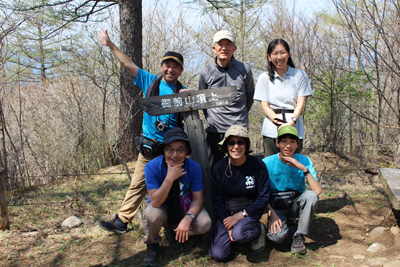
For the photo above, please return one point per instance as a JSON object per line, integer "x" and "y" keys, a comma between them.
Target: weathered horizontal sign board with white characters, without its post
{"x": 188, "y": 101}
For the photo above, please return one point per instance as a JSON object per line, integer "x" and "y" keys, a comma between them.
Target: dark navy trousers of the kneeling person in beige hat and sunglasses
{"x": 246, "y": 230}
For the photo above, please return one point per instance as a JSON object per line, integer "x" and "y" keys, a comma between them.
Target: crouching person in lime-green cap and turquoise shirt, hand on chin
{"x": 289, "y": 198}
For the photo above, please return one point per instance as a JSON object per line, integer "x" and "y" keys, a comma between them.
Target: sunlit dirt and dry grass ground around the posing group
{"x": 352, "y": 204}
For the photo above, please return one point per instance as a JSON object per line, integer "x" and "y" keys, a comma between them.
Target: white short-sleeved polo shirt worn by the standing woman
{"x": 282, "y": 93}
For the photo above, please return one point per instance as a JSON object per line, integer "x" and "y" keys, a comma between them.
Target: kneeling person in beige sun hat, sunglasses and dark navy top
{"x": 240, "y": 194}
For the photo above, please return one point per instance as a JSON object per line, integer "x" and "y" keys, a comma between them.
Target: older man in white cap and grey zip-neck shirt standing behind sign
{"x": 226, "y": 71}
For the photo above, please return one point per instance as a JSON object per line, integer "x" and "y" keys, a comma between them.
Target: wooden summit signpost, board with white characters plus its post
{"x": 188, "y": 103}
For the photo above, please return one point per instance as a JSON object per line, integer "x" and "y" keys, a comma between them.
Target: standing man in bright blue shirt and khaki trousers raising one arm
{"x": 153, "y": 127}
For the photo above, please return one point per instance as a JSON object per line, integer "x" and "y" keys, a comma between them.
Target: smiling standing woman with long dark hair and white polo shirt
{"x": 282, "y": 90}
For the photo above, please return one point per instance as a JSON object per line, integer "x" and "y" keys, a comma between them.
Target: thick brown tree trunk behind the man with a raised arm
{"x": 131, "y": 45}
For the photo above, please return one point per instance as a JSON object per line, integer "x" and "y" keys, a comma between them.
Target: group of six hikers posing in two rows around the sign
{"x": 244, "y": 187}
